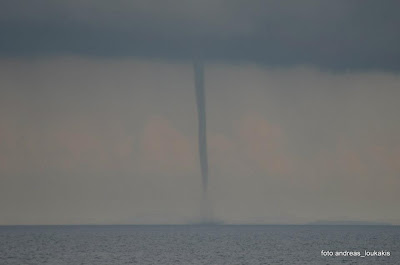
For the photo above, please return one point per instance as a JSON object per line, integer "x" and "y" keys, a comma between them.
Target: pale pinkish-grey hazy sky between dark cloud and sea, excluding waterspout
{"x": 88, "y": 140}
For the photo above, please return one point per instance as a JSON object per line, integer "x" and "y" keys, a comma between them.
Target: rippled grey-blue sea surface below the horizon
{"x": 197, "y": 244}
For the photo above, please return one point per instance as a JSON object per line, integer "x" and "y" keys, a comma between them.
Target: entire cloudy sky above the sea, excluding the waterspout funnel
{"x": 98, "y": 118}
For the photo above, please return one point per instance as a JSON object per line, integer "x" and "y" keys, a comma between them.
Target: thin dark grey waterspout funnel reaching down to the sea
{"x": 201, "y": 113}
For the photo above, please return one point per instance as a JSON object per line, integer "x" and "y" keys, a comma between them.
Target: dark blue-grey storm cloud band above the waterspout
{"x": 331, "y": 34}
